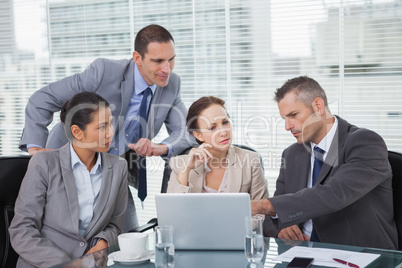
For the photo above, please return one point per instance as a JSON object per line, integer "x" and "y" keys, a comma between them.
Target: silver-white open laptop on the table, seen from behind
{"x": 204, "y": 221}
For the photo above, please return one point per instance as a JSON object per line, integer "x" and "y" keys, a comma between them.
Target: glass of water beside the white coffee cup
{"x": 164, "y": 247}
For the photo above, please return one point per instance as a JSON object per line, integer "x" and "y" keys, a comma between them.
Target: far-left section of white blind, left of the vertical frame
{"x": 22, "y": 70}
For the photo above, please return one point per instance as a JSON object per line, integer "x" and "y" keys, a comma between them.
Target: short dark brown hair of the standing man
{"x": 149, "y": 34}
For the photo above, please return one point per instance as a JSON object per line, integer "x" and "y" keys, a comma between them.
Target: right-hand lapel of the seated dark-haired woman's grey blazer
{"x": 104, "y": 192}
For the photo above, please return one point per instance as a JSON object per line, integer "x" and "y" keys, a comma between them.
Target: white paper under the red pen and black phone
{"x": 325, "y": 256}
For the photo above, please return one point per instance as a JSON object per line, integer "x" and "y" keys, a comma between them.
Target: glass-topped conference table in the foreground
{"x": 234, "y": 259}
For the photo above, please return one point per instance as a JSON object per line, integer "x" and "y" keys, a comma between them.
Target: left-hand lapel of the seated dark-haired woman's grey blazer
{"x": 69, "y": 184}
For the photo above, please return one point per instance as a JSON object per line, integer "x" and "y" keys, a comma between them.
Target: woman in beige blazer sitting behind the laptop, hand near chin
{"x": 215, "y": 166}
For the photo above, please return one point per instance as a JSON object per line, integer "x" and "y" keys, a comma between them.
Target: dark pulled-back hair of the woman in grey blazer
{"x": 79, "y": 110}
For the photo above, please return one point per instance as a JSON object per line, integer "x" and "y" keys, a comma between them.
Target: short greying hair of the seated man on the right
{"x": 305, "y": 88}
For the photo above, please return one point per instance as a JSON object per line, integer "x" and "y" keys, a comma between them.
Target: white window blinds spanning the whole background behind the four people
{"x": 240, "y": 51}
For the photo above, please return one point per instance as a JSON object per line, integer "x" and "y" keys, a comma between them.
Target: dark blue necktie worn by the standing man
{"x": 142, "y": 161}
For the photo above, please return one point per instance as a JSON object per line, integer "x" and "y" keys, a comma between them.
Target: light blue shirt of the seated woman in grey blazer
{"x": 88, "y": 185}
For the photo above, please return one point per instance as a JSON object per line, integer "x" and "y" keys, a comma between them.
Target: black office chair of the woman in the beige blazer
{"x": 165, "y": 180}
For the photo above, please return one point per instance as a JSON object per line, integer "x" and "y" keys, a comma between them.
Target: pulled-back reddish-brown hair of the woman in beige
{"x": 196, "y": 109}
